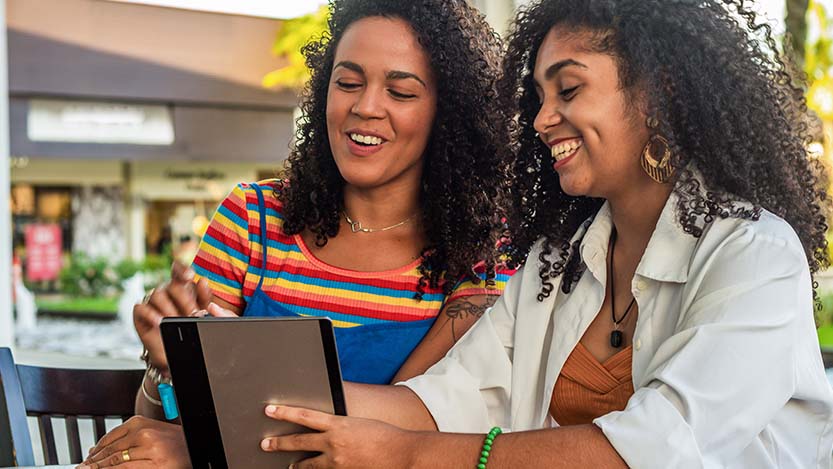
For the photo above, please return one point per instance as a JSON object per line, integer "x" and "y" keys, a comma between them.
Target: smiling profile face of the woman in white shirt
{"x": 595, "y": 136}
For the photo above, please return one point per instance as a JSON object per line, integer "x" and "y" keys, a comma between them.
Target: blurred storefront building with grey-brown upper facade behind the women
{"x": 130, "y": 122}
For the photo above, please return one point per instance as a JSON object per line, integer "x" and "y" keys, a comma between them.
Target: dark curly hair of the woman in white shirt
{"x": 725, "y": 99}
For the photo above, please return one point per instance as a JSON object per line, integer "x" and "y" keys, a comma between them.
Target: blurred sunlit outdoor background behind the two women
{"x": 130, "y": 119}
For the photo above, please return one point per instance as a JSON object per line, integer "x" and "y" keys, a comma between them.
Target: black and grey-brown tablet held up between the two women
{"x": 226, "y": 370}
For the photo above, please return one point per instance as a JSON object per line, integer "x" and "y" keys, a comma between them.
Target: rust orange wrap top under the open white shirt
{"x": 587, "y": 389}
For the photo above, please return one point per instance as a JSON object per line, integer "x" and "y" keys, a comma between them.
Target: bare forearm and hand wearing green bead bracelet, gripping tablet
{"x": 361, "y": 442}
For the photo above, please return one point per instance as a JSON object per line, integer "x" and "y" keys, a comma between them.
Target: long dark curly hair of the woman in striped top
{"x": 465, "y": 175}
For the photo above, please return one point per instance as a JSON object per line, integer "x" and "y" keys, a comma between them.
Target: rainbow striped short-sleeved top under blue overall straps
{"x": 303, "y": 284}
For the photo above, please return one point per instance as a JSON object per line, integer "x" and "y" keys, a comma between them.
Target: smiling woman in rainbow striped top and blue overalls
{"x": 388, "y": 219}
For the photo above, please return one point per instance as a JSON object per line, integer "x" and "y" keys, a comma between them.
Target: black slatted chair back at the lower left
{"x": 58, "y": 392}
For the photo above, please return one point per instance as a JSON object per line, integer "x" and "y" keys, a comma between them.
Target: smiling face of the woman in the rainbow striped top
{"x": 381, "y": 104}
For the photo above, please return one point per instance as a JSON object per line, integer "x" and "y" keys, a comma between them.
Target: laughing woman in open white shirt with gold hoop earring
{"x": 664, "y": 318}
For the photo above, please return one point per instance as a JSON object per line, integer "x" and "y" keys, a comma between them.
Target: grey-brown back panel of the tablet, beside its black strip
{"x": 251, "y": 363}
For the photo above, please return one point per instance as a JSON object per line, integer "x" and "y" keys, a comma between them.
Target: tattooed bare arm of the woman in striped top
{"x": 453, "y": 321}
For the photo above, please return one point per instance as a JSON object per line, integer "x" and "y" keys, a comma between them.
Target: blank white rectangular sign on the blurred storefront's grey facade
{"x": 94, "y": 122}
